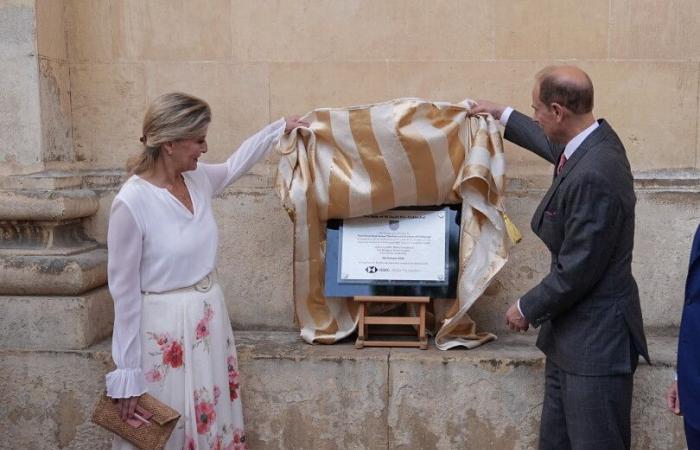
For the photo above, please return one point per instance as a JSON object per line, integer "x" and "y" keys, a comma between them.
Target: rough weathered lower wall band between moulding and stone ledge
{"x": 255, "y": 253}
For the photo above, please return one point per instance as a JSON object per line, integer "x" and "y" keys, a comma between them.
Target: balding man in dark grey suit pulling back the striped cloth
{"x": 588, "y": 304}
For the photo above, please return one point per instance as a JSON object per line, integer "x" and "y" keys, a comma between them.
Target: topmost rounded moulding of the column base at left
{"x": 47, "y": 205}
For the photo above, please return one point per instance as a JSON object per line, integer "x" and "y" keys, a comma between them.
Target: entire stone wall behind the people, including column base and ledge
{"x": 75, "y": 81}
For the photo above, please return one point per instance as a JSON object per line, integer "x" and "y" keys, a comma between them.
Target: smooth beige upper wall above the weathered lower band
{"x": 256, "y": 61}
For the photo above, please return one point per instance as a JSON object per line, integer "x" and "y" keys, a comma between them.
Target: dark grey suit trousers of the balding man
{"x": 584, "y": 412}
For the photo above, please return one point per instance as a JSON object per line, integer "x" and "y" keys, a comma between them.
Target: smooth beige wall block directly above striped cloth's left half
{"x": 297, "y": 88}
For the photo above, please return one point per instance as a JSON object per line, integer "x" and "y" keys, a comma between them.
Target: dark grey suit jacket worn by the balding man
{"x": 588, "y": 304}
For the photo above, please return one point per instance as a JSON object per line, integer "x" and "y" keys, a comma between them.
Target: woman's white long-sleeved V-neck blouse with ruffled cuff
{"x": 156, "y": 244}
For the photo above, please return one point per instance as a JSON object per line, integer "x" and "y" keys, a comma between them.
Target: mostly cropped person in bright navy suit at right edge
{"x": 684, "y": 395}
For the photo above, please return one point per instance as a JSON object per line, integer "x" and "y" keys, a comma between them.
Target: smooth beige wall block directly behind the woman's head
{"x": 237, "y": 93}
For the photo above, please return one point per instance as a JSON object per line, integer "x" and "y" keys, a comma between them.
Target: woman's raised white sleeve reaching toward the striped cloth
{"x": 240, "y": 162}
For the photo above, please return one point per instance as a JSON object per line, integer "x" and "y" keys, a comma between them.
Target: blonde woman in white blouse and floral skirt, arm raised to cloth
{"x": 172, "y": 334}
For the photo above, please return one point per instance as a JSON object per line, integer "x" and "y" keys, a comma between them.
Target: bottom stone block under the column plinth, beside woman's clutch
{"x": 49, "y": 397}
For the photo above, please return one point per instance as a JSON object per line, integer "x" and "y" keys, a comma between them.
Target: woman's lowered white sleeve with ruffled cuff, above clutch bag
{"x": 124, "y": 241}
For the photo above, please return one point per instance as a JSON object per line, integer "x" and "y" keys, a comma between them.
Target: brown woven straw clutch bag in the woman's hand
{"x": 150, "y": 427}
